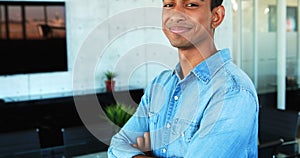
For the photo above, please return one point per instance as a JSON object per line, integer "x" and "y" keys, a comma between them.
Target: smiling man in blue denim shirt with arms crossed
{"x": 206, "y": 107}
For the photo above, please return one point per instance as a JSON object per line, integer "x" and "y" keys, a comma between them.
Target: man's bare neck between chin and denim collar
{"x": 190, "y": 58}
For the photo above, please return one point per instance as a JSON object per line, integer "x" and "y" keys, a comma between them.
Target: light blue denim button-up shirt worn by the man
{"x": 212, "y": 112}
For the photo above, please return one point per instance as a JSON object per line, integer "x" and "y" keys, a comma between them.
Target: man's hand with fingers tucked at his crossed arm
{"x": 144, "y": 144}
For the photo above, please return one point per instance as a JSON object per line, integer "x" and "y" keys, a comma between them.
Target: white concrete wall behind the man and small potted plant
{"x": 123, "y": 36}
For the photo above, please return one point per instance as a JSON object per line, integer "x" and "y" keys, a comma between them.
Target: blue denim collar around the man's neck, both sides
{"x": 207, "y": 69}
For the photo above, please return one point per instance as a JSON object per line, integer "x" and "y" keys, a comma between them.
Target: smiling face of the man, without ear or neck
{"x": 187, "y": 23}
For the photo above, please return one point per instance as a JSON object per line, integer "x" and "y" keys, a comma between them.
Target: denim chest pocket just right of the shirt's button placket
{"x": 184, "y": 129}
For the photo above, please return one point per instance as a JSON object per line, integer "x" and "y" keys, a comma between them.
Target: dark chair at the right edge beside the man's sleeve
{"x": 278, "y": 128}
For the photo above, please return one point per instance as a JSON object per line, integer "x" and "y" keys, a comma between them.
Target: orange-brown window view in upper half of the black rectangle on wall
{"x": 32, "y": 21}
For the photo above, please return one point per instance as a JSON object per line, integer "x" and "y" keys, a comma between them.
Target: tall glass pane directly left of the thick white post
{"x": 267, "y": 50}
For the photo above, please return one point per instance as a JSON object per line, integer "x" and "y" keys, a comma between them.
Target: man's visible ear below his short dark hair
{"x": 218, "y": 14}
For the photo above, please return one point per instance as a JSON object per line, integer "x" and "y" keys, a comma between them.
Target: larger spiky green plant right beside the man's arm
{"x": 119, "y": 113}
